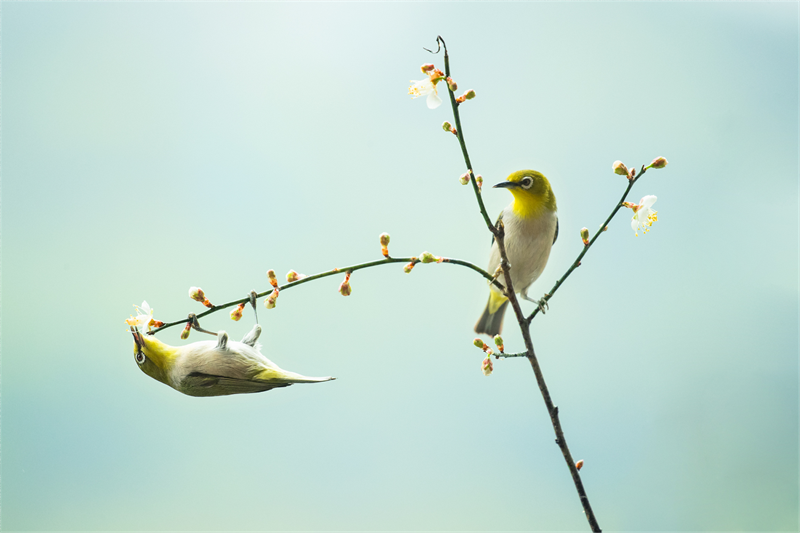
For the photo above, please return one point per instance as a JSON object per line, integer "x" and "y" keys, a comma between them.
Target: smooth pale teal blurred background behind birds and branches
{"x": 148, "y": 147}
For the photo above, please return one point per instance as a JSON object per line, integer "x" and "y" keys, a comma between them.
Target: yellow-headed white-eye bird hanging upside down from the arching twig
{"x": 213, "y": 368}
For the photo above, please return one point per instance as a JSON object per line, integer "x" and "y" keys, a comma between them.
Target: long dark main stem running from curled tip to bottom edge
{"x": 524, "y": 323}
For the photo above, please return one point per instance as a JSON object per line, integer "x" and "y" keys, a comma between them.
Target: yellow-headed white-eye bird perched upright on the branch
{"x": 531, "y": 229}
